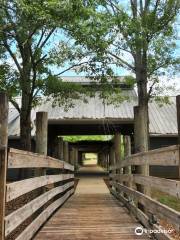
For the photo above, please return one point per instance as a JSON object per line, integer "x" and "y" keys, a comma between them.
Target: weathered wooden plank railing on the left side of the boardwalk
{"x": 47, "y": 192}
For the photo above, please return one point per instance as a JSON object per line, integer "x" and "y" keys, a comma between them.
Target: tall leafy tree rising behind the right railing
{"x": 140, "y": 37}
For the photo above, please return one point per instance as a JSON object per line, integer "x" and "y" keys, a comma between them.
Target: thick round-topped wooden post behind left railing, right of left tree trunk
{"x": 41, "y": 137}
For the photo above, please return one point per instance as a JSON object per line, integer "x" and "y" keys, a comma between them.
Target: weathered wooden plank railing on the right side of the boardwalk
{"x": 145, "y": 208}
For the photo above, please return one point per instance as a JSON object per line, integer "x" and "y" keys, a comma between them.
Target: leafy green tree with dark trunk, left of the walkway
{"x": 32, "y": 46}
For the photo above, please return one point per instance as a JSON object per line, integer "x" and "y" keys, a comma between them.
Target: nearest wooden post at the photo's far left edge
{"x": 3, "y": 159}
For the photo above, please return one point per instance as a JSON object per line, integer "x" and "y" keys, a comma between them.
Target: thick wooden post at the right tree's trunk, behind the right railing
{"x": 140, "y": 145}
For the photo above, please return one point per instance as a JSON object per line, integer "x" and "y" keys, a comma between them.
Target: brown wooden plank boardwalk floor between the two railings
{"x": 91, "y": 213}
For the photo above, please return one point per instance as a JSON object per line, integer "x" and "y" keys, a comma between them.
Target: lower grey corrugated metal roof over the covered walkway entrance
{"x": 163, "y": 119}
